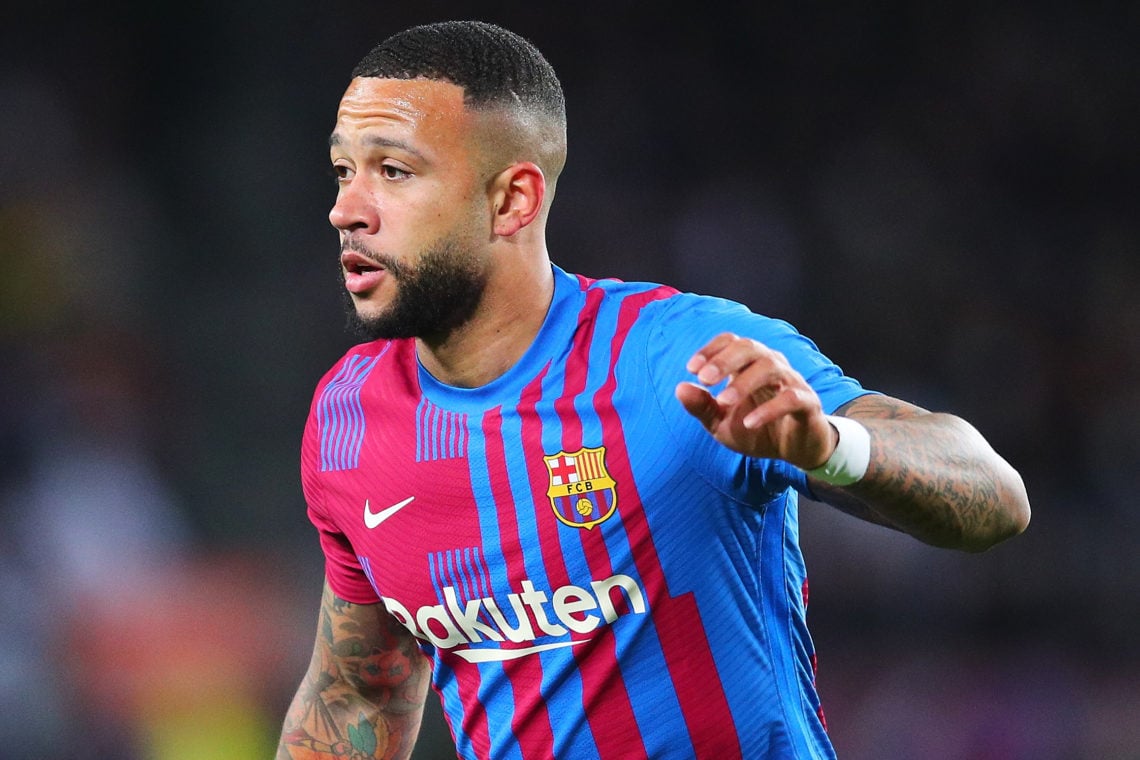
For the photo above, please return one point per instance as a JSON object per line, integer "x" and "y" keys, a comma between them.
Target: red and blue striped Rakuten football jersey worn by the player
{"x": 591, "y": 574}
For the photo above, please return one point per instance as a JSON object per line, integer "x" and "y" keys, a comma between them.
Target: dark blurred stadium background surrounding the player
{"x": 942, "y": 195}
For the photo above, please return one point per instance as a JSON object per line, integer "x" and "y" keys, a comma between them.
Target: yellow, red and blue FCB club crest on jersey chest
{"x": 582, "y": 492}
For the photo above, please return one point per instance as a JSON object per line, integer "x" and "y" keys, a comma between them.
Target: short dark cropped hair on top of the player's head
{"x": 494, "y": 67}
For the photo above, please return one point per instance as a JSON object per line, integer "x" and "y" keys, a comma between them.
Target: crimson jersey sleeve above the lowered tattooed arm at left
{"x": 343, "y": 569}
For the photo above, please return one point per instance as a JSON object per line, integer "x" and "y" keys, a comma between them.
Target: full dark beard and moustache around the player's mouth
{"x": 433, "y": 298}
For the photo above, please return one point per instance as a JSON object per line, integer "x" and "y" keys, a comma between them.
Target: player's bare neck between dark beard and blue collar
{"x": 503, "y": 328}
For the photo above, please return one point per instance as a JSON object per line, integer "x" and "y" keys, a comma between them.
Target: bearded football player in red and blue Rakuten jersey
{"x": 571, "y": 505}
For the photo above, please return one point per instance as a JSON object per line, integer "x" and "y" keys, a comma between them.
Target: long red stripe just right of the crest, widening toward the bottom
{"x": 683, "y": 642}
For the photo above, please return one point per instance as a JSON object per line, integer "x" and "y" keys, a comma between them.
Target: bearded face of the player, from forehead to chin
{"x": 411, "y": 207}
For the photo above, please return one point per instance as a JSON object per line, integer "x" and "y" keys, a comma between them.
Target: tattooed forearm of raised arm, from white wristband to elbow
{"x": 932, "y": 476}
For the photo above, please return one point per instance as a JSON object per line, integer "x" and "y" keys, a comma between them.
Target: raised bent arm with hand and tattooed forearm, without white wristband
{"x": 931, "y": 476}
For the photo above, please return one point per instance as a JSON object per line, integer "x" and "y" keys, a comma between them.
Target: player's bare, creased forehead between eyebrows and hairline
{"x": 422, "y": 110}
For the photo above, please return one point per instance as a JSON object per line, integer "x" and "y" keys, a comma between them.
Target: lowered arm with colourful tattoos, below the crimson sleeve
{"x": 364, "y": 691}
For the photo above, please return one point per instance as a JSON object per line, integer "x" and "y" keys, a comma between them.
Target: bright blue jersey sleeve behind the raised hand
{"x": 685, "y": 325}
